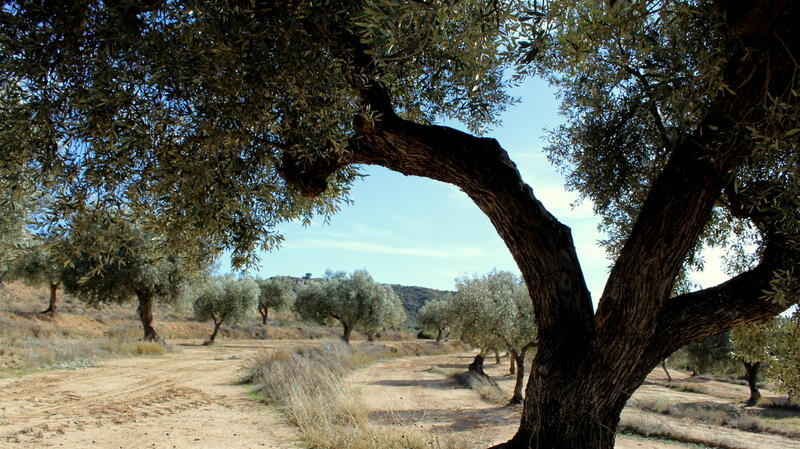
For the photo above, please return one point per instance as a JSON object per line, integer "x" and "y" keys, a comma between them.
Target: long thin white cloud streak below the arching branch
{"x": 349, "y": 245}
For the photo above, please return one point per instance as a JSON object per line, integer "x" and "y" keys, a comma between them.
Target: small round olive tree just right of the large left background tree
{"x": 225, "y": 301}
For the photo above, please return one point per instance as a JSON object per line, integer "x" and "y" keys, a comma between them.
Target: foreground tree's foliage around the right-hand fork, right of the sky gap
{"x": 639, "y": 77}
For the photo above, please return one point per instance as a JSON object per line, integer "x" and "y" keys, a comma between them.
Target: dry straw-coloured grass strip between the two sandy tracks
{"x": 305, "y": 384}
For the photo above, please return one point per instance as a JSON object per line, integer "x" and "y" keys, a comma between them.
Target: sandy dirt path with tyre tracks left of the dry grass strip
{"x": 183, "y": 400}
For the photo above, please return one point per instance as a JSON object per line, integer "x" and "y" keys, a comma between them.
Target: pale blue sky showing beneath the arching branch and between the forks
{"x": 415, "y": 231}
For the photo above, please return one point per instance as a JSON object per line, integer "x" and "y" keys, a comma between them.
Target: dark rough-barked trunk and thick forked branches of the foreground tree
{"x": 588, "y": 363}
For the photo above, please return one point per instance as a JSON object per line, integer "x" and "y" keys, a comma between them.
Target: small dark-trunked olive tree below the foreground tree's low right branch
{"x": 750, "y": 344}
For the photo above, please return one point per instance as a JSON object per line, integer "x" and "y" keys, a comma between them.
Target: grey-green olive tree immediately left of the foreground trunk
{"x": 494, "y": 312}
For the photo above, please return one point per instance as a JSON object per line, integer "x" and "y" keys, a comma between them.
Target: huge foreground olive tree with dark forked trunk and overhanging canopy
{"x": 223, "y": 118}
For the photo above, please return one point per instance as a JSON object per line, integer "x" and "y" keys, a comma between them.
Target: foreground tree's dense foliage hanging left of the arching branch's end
{"x": 181, "y": 110}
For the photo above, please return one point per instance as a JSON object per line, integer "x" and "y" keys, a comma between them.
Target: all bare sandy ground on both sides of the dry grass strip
{"x": 189, "y": 400}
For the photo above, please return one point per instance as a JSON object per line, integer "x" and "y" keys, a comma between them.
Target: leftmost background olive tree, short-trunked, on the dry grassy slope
{"x": 39, "y": 266}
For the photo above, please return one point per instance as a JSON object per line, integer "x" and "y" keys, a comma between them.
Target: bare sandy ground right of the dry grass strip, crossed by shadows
{"x": 415, "y": 393}
